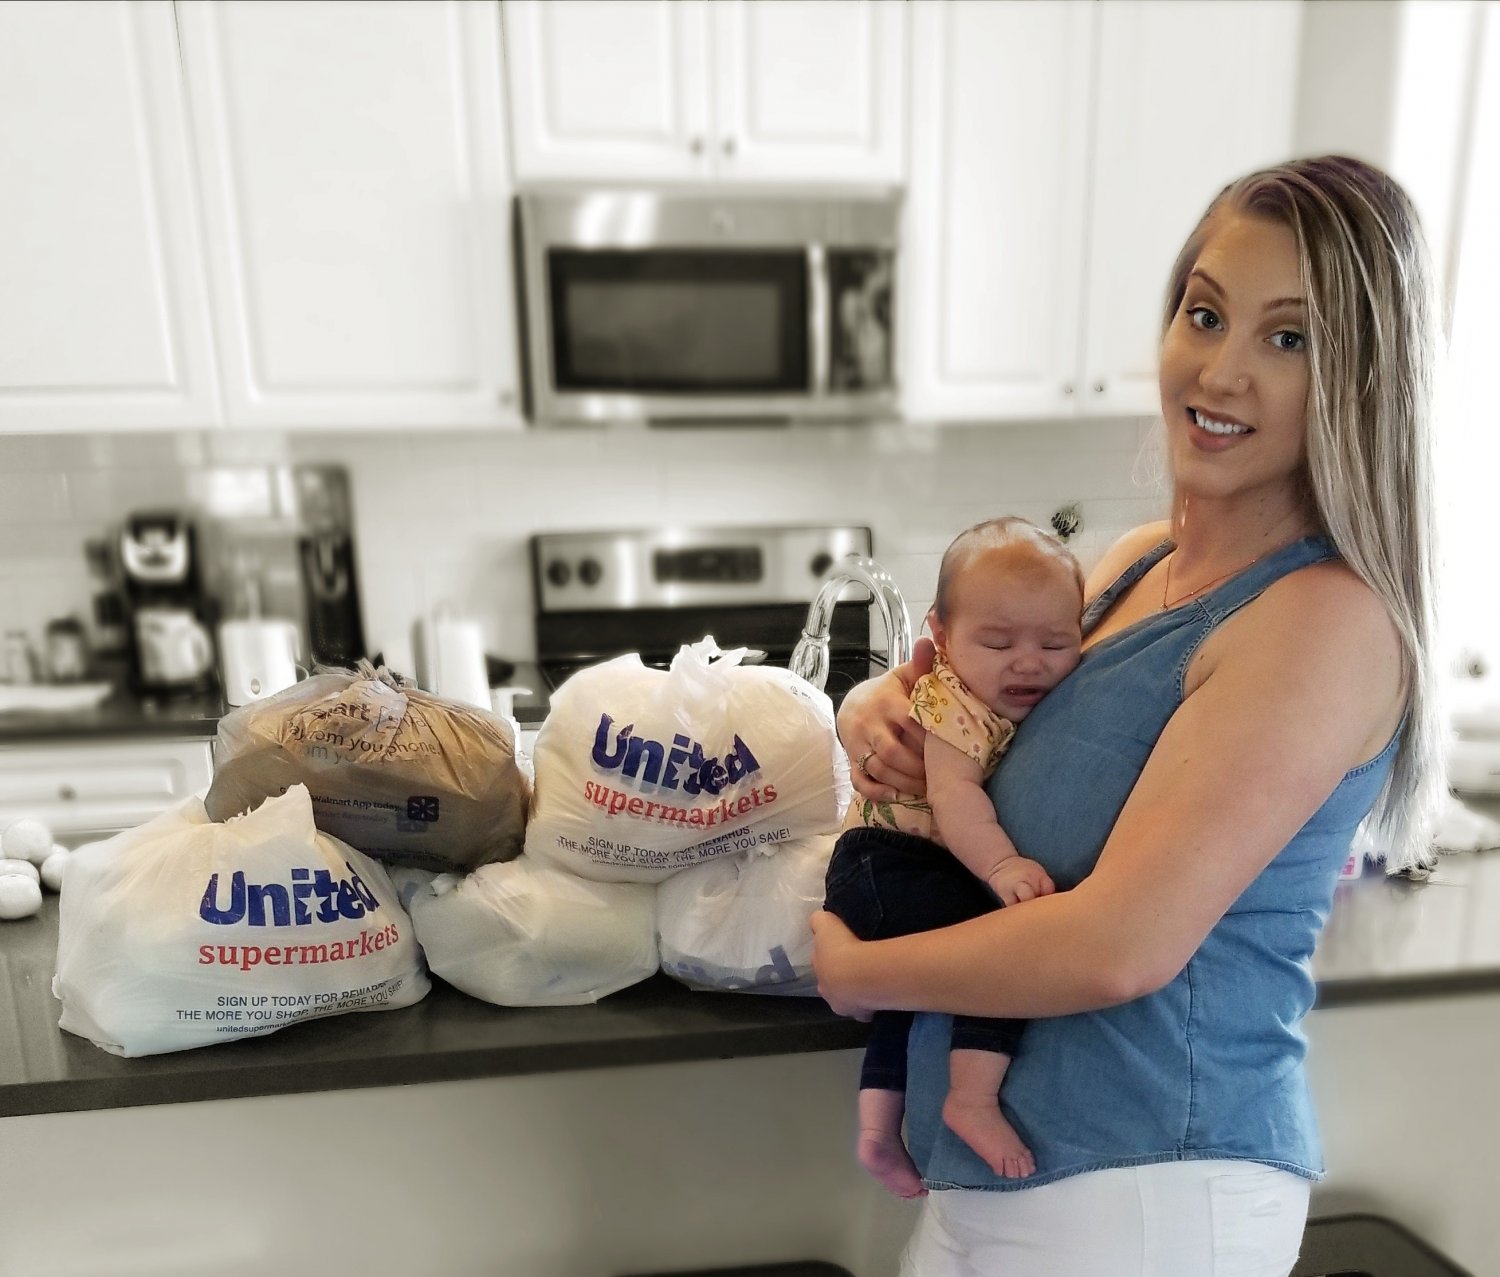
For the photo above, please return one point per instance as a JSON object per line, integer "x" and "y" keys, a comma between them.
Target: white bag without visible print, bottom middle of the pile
{"x": 524, "y": 936}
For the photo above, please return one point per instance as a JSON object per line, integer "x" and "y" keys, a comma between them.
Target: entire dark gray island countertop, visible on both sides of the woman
{"x": 1387, "y": 940}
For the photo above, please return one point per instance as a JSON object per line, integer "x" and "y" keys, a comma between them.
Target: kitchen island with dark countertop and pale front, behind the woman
{"x": 533, "y": 1150}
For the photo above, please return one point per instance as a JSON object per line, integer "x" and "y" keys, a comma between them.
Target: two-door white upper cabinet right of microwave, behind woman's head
{"x": 1061, "y": 155}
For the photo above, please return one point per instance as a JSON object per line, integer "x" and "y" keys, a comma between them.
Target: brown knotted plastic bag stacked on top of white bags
{"x": 403, "y": 775}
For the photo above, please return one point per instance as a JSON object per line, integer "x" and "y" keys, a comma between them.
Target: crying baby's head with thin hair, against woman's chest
{"x": 1007, "y": 616}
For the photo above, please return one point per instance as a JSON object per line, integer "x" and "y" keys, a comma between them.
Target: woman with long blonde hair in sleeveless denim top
{"x": 1255, "y": 682}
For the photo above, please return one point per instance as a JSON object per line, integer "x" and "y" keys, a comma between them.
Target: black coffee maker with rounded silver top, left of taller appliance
{"x": 169, "y": 614}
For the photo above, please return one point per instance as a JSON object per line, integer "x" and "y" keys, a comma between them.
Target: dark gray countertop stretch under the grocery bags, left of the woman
{"x": 446, "y": 1036}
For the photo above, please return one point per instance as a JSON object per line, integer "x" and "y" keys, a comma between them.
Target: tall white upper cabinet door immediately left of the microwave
{"x": 356, "y": 196}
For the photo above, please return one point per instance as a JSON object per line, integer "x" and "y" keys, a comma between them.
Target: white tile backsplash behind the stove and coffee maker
{"x": 446, "y": 517}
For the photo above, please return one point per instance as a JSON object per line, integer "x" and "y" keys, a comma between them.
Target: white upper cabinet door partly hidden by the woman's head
{"x": 1174, "y": 128}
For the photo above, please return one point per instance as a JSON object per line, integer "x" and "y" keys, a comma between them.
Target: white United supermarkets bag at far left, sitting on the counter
{"x": 185, "y": 933}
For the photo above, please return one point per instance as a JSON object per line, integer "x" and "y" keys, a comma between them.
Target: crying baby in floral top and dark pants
{"x": 1007, "y": 628}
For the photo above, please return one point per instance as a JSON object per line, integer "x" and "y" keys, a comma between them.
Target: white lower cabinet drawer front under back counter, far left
{"x": 101, "y": 787}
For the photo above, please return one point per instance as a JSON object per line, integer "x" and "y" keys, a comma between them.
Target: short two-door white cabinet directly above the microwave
{"x": 718, "y": 91}
